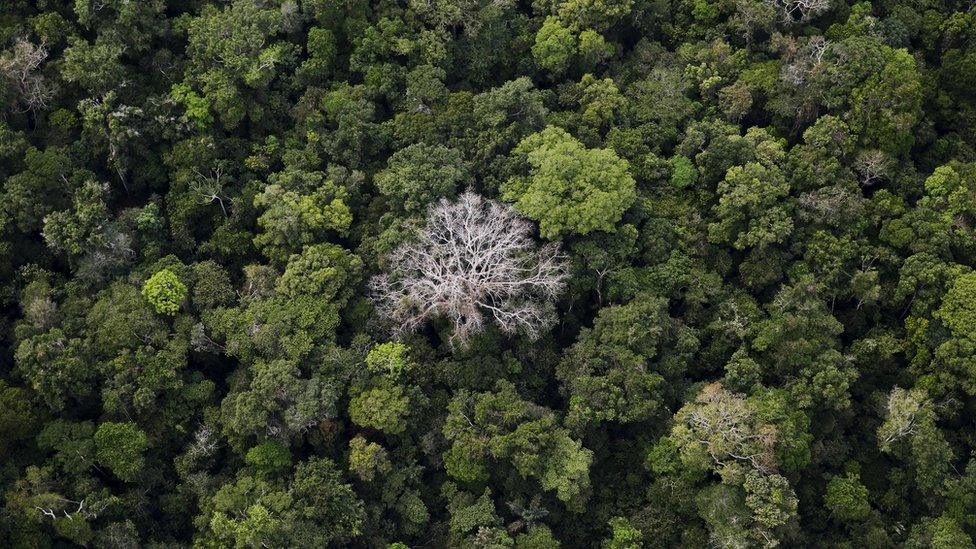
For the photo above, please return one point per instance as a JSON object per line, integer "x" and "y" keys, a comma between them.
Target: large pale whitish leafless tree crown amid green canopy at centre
{"x": 474, "y": 261}
